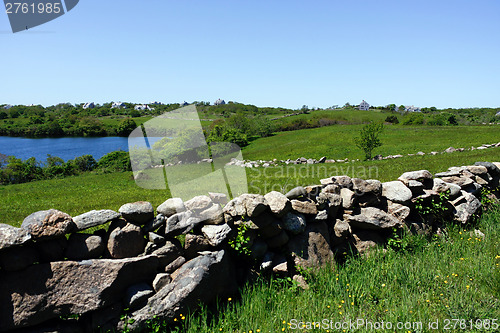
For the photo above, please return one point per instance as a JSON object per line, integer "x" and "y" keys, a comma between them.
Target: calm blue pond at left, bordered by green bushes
{"x": 65, "y": 148}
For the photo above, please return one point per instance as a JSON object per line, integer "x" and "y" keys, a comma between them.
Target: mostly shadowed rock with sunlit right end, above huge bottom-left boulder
{"x": 84, "y": 246}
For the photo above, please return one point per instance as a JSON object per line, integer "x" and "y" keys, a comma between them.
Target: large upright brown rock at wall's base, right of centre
{"x": 312, "y": 247}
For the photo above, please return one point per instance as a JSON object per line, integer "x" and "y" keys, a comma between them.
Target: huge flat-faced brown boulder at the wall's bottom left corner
{"x": 47, "y": 291}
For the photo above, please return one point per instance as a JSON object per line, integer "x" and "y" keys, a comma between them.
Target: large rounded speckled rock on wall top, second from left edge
{"x": 48, "y": 224}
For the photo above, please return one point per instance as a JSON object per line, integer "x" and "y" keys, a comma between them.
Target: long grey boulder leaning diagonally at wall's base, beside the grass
{"x": 201, "y": 279}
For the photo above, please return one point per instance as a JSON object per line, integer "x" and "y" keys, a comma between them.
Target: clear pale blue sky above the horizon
{"x": 268, "y": 53}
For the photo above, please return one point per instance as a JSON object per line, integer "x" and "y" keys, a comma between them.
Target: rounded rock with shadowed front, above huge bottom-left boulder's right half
{"x": 125, "y": 242}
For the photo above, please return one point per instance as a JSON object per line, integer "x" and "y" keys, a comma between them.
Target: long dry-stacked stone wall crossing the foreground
{"x": 79, "y": 274}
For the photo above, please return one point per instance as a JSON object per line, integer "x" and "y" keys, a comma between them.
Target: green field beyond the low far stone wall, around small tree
{"x": 336, "y": 141}
